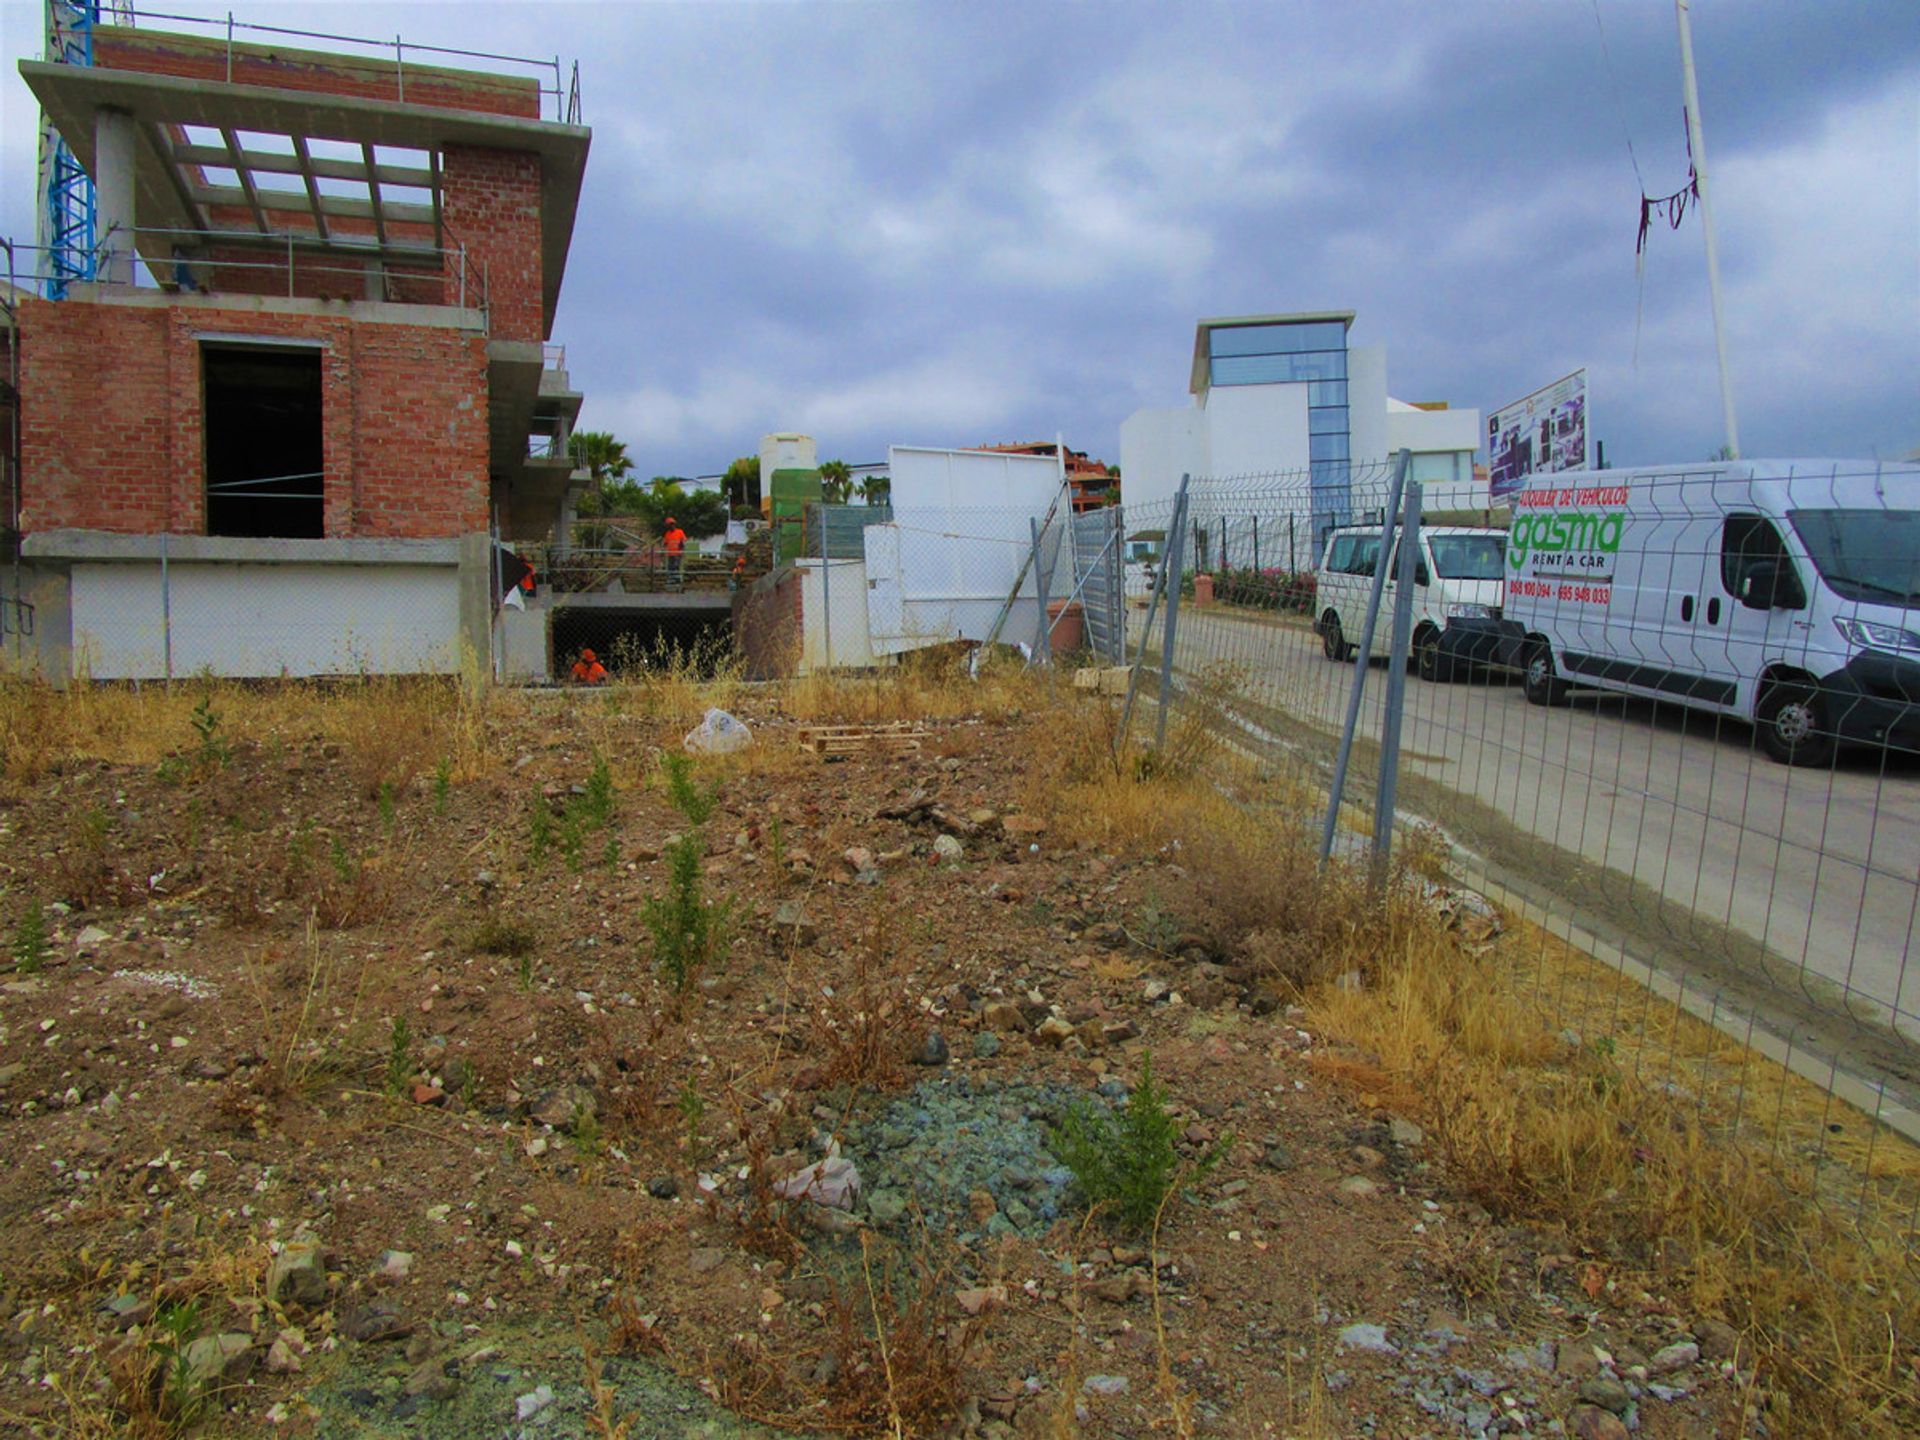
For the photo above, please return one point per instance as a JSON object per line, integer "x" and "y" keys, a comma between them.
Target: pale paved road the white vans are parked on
{"x": 1821, "y": 867}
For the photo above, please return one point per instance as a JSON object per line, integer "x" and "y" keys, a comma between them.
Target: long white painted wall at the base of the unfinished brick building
{"x": 251, "y": 621}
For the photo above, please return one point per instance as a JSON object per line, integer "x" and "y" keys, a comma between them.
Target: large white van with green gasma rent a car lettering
{"x": 1779, "y": 592}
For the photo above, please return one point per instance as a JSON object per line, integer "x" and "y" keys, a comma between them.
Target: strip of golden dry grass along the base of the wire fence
{"x": 1691, "y": 1164}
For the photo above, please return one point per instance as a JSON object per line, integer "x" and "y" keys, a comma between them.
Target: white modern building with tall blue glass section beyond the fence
{"x": 1289, "y": 396}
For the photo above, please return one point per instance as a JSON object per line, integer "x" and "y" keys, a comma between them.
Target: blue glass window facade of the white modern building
{"x": 1312, "y": 352}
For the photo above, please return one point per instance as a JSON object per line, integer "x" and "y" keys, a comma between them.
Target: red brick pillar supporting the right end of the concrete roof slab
{"x": 492, "y": 206}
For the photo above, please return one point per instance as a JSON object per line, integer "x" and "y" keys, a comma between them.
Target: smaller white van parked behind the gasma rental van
{"x": 1458, "y": 575}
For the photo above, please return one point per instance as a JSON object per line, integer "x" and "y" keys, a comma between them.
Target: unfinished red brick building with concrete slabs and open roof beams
{"x": 308, "y": 379}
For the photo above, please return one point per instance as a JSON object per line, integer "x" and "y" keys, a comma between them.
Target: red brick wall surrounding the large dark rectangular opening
{"x": 112, "y": 421}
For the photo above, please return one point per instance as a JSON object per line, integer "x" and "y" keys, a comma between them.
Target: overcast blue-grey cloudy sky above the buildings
{"x": 971, "y": 224}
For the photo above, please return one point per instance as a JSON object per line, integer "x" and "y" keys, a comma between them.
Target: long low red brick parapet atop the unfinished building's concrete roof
{"x": 285, "y": 68}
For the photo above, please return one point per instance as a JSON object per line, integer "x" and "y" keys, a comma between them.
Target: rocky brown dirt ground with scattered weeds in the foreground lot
{"x": 347, "y": 1099}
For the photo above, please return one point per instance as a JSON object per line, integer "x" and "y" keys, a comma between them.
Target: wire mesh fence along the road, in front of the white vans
{"x": 1669, "y": 717}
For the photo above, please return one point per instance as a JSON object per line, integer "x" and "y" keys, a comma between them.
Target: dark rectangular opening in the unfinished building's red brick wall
{"x": 264, "y": 443}
